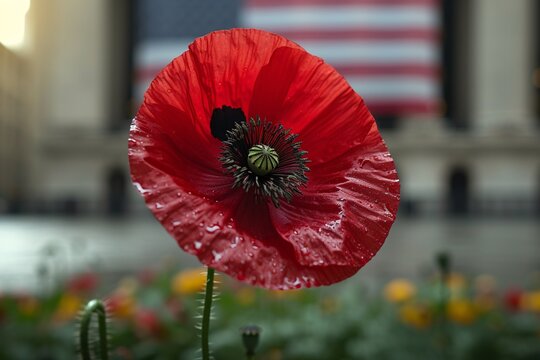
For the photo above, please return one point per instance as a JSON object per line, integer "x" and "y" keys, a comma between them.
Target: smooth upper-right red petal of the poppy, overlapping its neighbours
{"x": 310, "y": 97}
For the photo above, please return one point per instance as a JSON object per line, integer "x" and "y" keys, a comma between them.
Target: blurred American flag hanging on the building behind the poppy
{"x": 389, "y": 50}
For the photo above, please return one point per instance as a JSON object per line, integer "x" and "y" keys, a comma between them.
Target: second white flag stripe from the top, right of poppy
{"x": 379, "y": 52}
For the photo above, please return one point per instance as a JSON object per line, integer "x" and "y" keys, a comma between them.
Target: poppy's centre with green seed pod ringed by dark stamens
{"x": 264, "y": 160}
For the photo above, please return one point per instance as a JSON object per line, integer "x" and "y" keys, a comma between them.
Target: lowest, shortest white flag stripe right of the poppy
{"x": 395, "y": 87}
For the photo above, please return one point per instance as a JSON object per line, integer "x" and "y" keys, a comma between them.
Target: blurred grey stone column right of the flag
{"x": 502, "y": 53}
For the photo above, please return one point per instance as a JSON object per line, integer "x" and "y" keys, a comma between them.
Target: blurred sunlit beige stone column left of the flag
{"x": 70, "y": 56}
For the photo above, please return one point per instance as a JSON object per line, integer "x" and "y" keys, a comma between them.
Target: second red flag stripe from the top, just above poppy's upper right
{"x": 362, "y": 34}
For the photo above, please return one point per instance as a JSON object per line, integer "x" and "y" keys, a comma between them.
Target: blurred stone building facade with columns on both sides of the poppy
{"x": 480, "y": 154}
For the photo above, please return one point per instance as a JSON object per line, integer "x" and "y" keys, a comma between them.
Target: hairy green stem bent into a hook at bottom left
{"x": 97, "y": 307}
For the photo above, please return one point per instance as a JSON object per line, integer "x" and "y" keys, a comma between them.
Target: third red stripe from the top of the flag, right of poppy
{"x": 430, "y": 71}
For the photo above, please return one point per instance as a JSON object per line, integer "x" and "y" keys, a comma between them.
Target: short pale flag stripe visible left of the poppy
{"x": 162, "y": 51}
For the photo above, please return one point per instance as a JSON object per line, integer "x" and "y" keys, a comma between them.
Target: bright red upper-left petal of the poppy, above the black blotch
{"x": 218, "y": 70}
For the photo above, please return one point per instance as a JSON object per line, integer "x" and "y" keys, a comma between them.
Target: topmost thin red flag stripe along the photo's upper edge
{"x": 272, "y": 3}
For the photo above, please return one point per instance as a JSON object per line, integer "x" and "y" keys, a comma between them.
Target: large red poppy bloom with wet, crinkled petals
{"x": 220, "y": 150}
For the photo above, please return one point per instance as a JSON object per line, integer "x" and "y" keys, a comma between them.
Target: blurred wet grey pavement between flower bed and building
{"x": 508, "y": 249}
